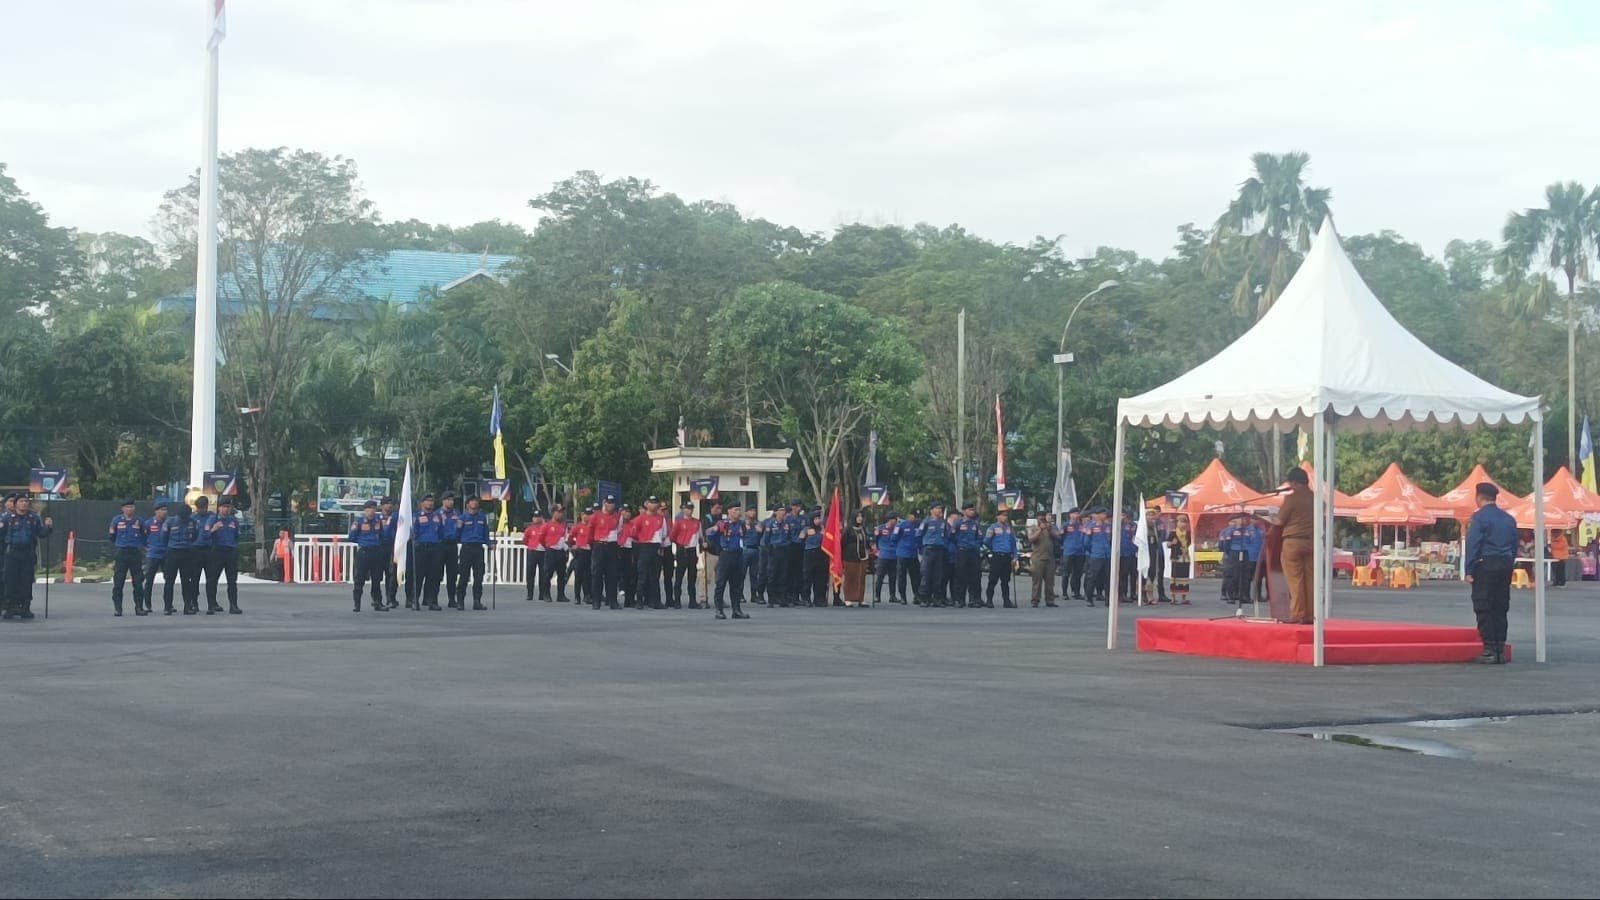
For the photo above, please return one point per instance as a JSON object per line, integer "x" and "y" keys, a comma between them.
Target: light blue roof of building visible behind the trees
{"x": 396, "y": 276}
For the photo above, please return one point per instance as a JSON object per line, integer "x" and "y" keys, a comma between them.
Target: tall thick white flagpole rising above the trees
{"x": 202, "y": 451}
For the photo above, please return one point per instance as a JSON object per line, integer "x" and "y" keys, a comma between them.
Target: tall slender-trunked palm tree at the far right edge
{"x": 1556, "y": 238}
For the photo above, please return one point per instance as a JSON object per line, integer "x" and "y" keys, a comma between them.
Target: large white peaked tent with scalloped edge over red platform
{"x": 1329, "y": 358}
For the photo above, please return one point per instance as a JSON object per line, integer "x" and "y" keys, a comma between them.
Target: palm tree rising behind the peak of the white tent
{"x": 1271, "y": 209}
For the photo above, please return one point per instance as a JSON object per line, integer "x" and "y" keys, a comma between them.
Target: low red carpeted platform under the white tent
{"x": 1348, "y": 641}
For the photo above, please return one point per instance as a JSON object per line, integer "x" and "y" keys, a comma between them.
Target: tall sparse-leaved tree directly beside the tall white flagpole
{"x": 294, "y": 231}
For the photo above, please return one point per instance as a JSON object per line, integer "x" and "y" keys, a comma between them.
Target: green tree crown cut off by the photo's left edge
{"x": 36, "y": 260}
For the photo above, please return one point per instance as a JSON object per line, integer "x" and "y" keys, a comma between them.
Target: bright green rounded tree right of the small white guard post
{"x": 836, "y": 369}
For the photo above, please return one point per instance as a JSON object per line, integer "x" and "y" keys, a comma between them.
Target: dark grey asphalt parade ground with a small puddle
{"x": 302, "y": 750}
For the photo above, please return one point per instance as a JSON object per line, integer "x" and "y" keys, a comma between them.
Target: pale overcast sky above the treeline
{"x": 1108, "y": 124}
